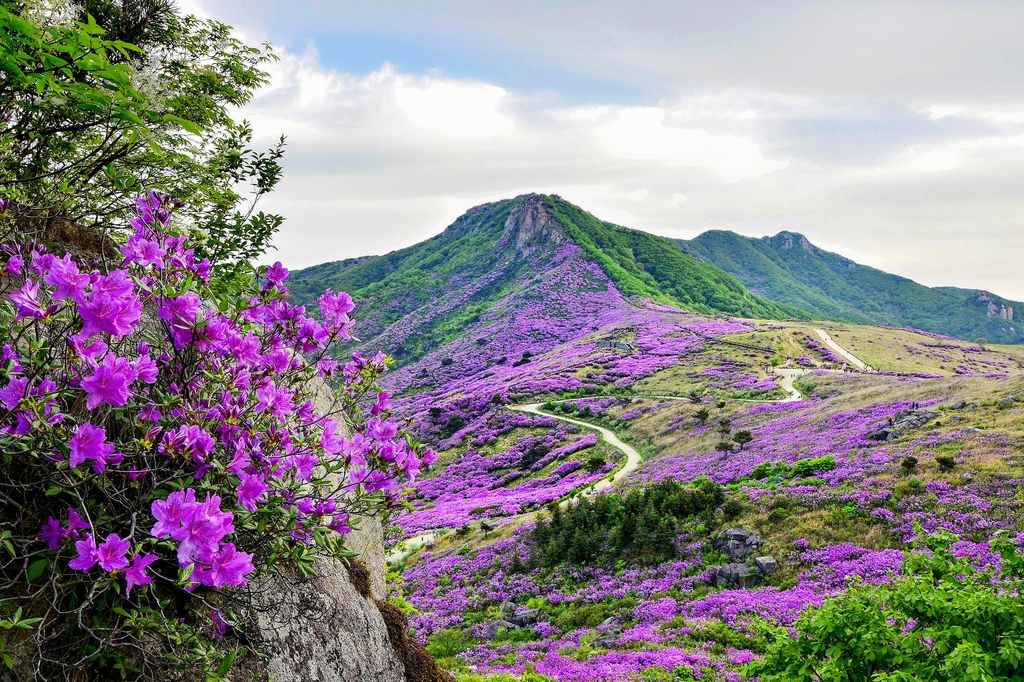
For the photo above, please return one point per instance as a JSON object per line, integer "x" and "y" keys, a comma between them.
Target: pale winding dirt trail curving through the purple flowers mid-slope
{"x": 633, "y": 459}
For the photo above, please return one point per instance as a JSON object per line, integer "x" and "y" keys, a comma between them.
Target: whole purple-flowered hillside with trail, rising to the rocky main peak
{"x": 759, "y": 482}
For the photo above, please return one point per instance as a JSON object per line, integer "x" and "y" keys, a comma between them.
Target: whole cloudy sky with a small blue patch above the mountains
{"x": 890, "y": 133}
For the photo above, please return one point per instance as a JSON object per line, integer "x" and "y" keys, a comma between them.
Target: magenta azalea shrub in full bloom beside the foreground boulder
{"x": 163, "y": 443}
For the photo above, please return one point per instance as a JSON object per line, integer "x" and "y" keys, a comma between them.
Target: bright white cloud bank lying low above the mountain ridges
{"x": 380, "y": 161}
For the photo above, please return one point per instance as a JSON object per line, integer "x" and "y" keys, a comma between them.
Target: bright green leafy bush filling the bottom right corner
{"x": 942, "y": 620}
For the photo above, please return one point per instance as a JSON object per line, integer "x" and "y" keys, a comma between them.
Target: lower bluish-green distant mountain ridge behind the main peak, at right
{"x": 791, "y": 271}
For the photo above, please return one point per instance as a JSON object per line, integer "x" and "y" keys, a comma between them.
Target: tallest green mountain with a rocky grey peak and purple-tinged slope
{"x": 530, "y": 273}
